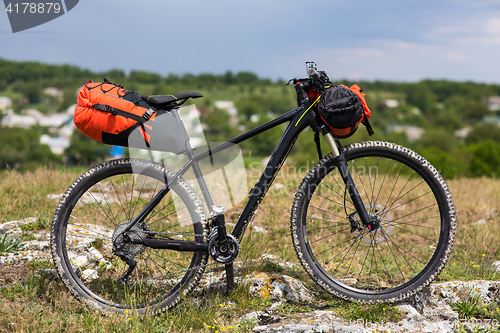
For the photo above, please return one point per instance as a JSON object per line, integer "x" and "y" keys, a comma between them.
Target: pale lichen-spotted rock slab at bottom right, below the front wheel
{"x": 428, "y": 311}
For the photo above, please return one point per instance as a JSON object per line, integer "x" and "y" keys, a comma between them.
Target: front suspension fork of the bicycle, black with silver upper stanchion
{"x": 340, "y": 162}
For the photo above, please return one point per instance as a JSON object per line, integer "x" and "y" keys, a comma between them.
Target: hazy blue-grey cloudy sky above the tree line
{"x": 371, "y": 40}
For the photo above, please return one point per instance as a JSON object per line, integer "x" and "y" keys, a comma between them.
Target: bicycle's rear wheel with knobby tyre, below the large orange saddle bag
{"x": 87, "y": 228}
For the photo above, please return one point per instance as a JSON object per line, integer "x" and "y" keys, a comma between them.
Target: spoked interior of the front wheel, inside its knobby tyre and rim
{"x": 406, "y": 217}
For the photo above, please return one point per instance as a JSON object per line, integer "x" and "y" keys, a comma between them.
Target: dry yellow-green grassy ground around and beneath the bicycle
{"x": 31, "y": 302}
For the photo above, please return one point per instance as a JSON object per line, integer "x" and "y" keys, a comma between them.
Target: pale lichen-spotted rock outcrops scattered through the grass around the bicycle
{"x": 428, "y": 311}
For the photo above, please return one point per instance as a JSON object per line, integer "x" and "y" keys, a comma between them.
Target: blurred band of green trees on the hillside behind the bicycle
{"x": 440, "y": 108}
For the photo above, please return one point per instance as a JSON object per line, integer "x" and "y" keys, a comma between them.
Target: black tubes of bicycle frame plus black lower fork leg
{"x": 299, "y": 118}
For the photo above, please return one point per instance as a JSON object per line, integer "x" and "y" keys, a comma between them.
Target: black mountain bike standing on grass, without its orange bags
{"x": 370, "y": 222}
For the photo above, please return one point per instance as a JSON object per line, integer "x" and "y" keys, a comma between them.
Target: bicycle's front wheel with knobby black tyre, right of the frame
{"x": 406, "y": 246}
